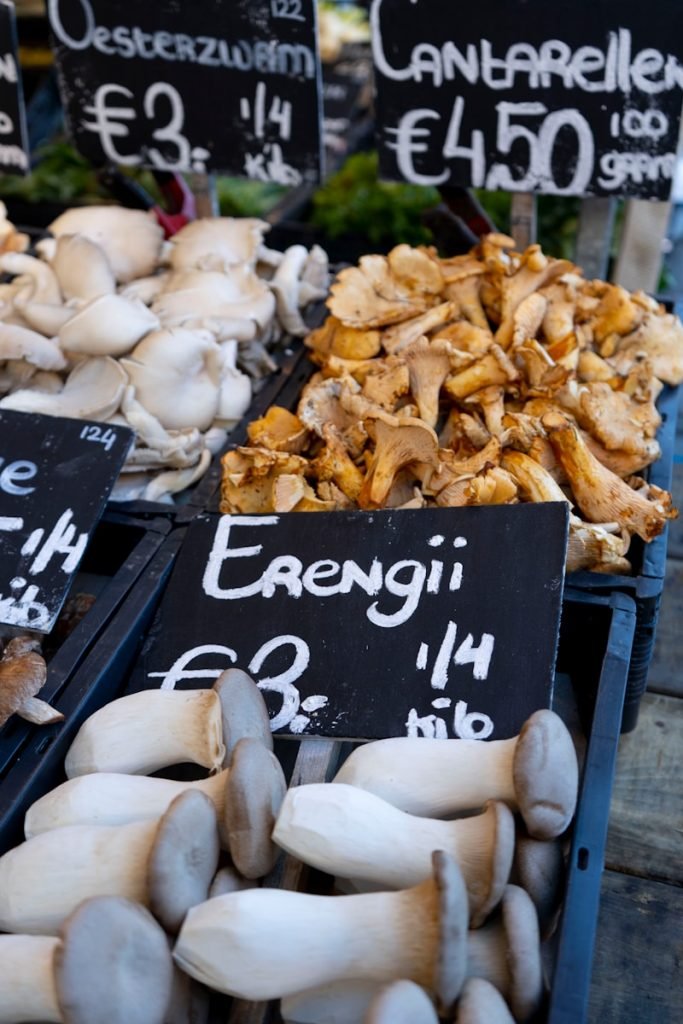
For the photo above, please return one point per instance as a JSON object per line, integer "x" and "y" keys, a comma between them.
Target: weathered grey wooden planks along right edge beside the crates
{"x": 638, "y": 970}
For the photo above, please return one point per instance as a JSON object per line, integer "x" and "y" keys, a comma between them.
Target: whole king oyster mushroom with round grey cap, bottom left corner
{"x": 110, "y": 965}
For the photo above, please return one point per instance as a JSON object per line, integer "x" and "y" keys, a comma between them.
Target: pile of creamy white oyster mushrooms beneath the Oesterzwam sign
{"x": 112, "y": 324}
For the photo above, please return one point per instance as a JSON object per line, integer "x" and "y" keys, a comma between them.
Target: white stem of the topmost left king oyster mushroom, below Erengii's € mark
{"x": 144, "y": 733}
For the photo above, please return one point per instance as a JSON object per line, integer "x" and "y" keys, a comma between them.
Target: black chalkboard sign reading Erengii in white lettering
{"x": 356, "y": 625}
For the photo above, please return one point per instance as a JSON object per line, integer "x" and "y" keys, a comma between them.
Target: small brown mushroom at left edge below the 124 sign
{"x": 23, "y": 675}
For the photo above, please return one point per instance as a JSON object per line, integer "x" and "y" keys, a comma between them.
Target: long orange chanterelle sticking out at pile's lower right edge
{"x": 602, "y": 496}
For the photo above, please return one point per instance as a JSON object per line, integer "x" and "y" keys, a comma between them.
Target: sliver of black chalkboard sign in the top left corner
{"x": 14, "y": 139}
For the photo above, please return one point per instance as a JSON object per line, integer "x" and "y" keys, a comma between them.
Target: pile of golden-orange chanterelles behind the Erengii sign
{"x": 490, "y": 378}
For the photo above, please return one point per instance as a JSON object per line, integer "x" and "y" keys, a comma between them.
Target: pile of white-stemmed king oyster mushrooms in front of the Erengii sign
{"x": 447, "y": 855}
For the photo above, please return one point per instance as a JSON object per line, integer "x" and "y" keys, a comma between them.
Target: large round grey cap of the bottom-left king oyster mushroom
{"x": 113, "y": 965}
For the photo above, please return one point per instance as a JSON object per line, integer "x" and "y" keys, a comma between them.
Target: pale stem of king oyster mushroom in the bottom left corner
{"x": 27, "y": 979}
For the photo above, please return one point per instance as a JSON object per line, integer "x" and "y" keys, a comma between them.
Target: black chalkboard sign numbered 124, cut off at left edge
{"x": 56, "y": 477}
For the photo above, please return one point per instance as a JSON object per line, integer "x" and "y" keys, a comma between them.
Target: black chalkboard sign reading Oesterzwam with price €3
{"x": 230, "y": 86}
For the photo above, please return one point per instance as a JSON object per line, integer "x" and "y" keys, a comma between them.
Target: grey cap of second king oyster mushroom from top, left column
{"x": 254, "y": 795}
